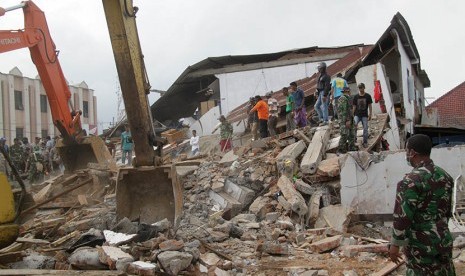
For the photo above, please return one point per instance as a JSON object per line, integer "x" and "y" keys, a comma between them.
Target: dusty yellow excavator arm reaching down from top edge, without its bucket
{"x": 122, "y": 27}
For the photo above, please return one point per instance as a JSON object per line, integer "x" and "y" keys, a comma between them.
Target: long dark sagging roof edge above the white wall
{"x": 185, "y": 94}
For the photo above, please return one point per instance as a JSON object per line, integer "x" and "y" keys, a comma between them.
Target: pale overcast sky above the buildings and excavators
{"x": 177, "y": 33}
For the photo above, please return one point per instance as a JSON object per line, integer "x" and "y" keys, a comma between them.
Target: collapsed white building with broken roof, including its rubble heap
{"x": 284, "y": 205}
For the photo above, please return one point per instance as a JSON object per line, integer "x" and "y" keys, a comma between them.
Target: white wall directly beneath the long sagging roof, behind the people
{"x": 236, "y": 88}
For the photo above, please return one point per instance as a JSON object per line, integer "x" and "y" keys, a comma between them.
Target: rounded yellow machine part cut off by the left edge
{"x": 8, "y": 229}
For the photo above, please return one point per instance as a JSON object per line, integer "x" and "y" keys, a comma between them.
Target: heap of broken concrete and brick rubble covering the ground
{"x": 268, "y": 208}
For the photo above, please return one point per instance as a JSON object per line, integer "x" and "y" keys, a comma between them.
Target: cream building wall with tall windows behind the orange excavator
{"x": 31, "y": 119}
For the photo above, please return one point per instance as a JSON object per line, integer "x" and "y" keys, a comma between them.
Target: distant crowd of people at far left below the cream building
{"x": 33, "y": 160}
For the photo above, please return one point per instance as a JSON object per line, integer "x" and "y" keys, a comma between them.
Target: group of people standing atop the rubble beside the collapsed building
{"x": 263, "y": 112}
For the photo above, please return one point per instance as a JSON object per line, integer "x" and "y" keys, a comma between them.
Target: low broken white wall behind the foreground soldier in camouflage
{"x": 372, "y": 191}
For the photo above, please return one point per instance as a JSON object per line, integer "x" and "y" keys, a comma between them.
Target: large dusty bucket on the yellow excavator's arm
{"x": 149, "y": 194}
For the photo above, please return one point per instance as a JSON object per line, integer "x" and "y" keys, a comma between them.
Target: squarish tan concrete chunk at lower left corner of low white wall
{"x": 335, "y": 216}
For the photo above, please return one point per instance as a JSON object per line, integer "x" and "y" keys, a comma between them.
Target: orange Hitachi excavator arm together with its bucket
{"x": 75, "y": 149}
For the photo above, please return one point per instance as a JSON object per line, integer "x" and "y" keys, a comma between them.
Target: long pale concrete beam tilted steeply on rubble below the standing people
{"x": 316, "y": 150}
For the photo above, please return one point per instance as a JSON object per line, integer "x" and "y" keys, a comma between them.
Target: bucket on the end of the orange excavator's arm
{"x": 91, "y": 150}
